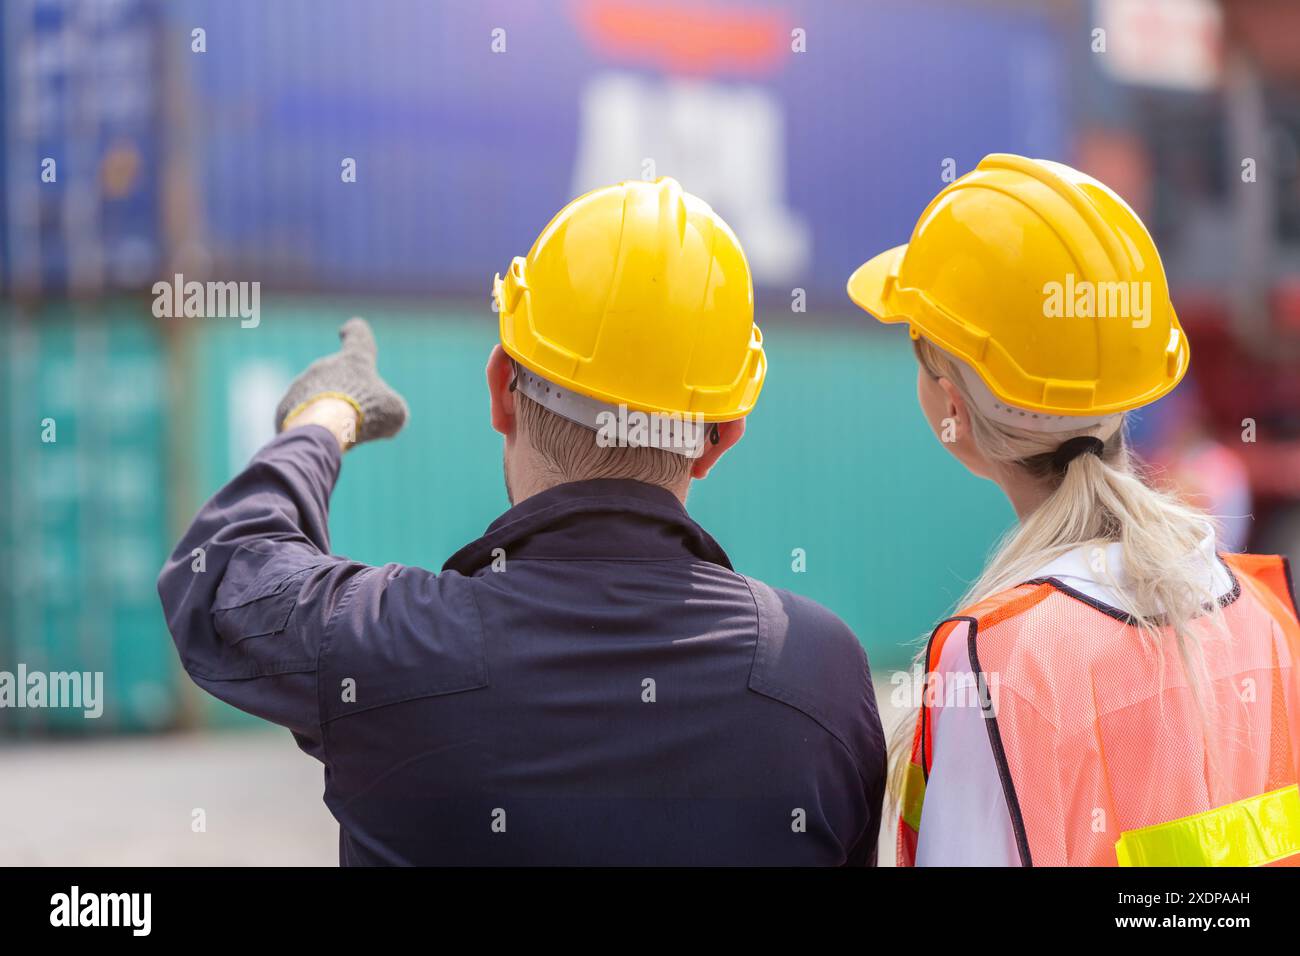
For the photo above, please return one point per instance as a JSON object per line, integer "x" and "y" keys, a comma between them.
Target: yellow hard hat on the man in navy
{"x": 638, "y": 295}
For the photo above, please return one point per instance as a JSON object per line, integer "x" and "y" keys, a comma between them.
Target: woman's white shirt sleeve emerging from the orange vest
{"x": 965, "y": 820}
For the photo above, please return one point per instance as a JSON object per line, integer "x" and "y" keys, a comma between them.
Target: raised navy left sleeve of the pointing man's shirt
{"x": 250, "y": 591}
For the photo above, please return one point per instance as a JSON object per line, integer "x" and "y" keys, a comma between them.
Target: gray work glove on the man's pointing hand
{"x": 350, "y": 374}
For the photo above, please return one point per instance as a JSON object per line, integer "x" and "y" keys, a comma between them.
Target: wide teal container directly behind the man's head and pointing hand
{"x": 838, "y": 473}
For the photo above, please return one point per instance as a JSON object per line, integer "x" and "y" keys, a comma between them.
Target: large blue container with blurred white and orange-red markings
{"x": 463, "y": 154}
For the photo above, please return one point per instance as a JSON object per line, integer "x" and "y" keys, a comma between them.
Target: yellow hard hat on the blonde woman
{"x": 1043, "y": 282}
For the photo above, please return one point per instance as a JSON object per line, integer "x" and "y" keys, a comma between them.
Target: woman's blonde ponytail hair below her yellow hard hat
{"x": 1099, "y": 500}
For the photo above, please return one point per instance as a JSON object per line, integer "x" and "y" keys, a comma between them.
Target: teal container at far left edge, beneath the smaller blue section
{"x": 83, "y": 514}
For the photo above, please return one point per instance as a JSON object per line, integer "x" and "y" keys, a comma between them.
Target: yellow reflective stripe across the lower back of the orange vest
{"x": 1250, "y": 833}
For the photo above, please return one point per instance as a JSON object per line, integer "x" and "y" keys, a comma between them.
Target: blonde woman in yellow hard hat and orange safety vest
{"x": 1113, "y": 690}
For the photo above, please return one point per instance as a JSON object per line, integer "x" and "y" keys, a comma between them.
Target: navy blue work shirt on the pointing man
{"x": 608, "y": 691}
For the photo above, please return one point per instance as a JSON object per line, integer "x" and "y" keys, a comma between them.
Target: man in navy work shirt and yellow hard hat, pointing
{"x": 590, "y": 682}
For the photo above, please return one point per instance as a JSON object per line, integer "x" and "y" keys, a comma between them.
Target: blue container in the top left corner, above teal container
{"x": 83, "y": 145}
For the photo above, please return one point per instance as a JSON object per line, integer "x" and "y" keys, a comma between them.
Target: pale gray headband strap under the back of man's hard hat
{"x": 617, "y": 423}
